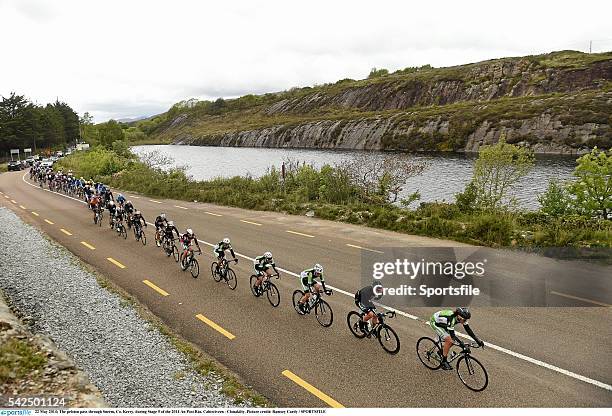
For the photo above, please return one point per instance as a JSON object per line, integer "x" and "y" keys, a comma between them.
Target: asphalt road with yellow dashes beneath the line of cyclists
{"x": 548, "y": 356}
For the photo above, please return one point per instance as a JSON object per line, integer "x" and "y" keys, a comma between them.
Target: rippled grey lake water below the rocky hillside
{"x": 446, "y": 173}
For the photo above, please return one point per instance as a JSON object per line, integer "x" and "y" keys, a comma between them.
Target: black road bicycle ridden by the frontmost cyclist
{"x": 470, "y": 371}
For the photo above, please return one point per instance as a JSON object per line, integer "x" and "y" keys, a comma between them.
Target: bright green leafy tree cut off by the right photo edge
{"x": 592, "y": 189}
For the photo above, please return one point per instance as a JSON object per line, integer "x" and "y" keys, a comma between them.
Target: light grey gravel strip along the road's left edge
{"x": 131, "y": 360}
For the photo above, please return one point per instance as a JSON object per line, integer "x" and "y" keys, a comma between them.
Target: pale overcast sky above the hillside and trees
{"x": 129, "y": 58}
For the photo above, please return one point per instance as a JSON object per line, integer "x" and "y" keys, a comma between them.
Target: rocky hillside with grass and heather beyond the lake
{"x": 555, "y": 103}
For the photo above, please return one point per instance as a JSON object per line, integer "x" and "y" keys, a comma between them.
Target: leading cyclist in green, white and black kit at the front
{"x": 443, "y": 323}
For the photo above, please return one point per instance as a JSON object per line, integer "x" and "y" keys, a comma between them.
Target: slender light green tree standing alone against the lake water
{"x": 497, "y": 169}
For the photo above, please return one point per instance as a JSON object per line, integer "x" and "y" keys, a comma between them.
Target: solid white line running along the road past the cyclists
{"x": 407, "y": 315}
